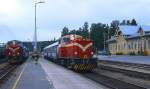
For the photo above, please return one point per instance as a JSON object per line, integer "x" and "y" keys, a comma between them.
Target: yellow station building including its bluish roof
{"x": 130, "y": 40}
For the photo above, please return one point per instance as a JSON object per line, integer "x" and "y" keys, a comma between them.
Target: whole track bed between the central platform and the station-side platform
{"x": 118, "y": 75}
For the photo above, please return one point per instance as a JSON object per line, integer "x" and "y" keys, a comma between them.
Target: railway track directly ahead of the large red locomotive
{"x": 111, "y": 83}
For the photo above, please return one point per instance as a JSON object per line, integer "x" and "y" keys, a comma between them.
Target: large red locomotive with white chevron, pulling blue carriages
{"x": 72, "y": 51}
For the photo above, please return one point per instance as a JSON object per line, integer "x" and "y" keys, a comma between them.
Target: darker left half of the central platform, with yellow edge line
{"x": 32, "y": 76}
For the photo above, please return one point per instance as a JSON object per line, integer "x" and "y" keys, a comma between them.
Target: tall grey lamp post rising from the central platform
{"x": 35, "y": 30}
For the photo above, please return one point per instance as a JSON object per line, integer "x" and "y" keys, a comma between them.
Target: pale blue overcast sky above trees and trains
{"x": 17, "y": 16}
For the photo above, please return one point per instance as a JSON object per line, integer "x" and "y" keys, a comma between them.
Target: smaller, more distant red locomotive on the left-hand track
{"x": 15, "y": 52}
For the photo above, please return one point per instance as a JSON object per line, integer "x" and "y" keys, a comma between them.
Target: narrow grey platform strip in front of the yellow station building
{"x": 128, "y": 59}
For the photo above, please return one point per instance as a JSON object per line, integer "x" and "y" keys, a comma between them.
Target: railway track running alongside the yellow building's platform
{"x": 130, "y": 69}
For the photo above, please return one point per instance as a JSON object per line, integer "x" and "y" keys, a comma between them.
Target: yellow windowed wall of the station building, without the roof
{"x": 128, "y": 46}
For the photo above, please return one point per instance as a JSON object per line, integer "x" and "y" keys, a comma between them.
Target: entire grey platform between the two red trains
{"x": 47, "y": 75}
